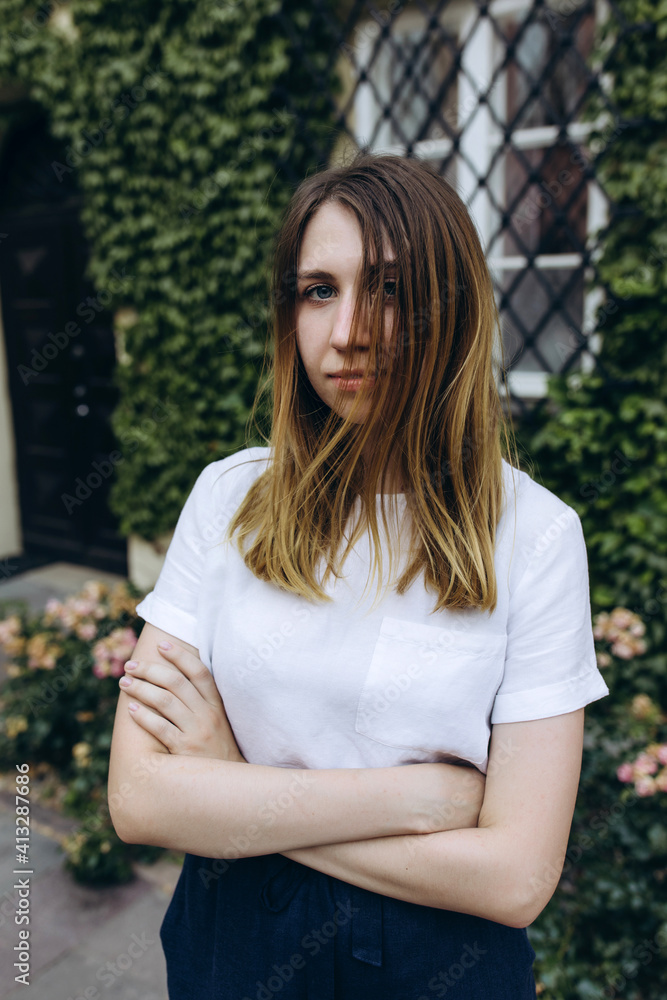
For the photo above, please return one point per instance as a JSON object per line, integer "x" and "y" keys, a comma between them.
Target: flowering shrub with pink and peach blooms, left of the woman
{"x": 58, "y": 708}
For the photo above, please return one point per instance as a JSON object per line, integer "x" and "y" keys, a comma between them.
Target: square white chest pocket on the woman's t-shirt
{"x": 430, "y": 688}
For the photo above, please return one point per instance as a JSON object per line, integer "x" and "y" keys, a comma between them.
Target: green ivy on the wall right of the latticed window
{"x": 600, "y": 439}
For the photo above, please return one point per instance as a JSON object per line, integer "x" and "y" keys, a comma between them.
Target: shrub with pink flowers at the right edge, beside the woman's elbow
{"x": 604, "y": 931}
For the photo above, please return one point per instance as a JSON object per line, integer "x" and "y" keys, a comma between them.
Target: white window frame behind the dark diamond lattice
{"x": 479, "y": 141}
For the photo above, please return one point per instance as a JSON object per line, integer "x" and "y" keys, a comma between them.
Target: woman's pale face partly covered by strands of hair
{"x": 329, "y": 264}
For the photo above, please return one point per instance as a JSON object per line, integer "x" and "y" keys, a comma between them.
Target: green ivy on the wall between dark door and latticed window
{"x": 176, "y": 117}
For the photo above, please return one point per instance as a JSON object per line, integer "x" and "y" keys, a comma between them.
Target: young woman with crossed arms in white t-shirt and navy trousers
{"x": 270, "y": 740}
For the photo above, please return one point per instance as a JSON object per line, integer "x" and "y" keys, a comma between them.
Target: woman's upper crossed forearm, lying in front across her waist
{"x": 224, "y": 809}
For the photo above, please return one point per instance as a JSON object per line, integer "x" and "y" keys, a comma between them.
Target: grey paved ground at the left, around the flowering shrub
{"x": 85, "y": 944}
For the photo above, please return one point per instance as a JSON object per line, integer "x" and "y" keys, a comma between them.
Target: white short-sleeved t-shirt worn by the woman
{"x": 315, "y": 685}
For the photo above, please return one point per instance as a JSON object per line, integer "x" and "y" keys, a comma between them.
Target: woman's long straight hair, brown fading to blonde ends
{"x": 436, "y": 408}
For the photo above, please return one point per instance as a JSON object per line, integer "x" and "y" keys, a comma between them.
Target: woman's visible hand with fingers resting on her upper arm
{"x": 181, "y": 706}
